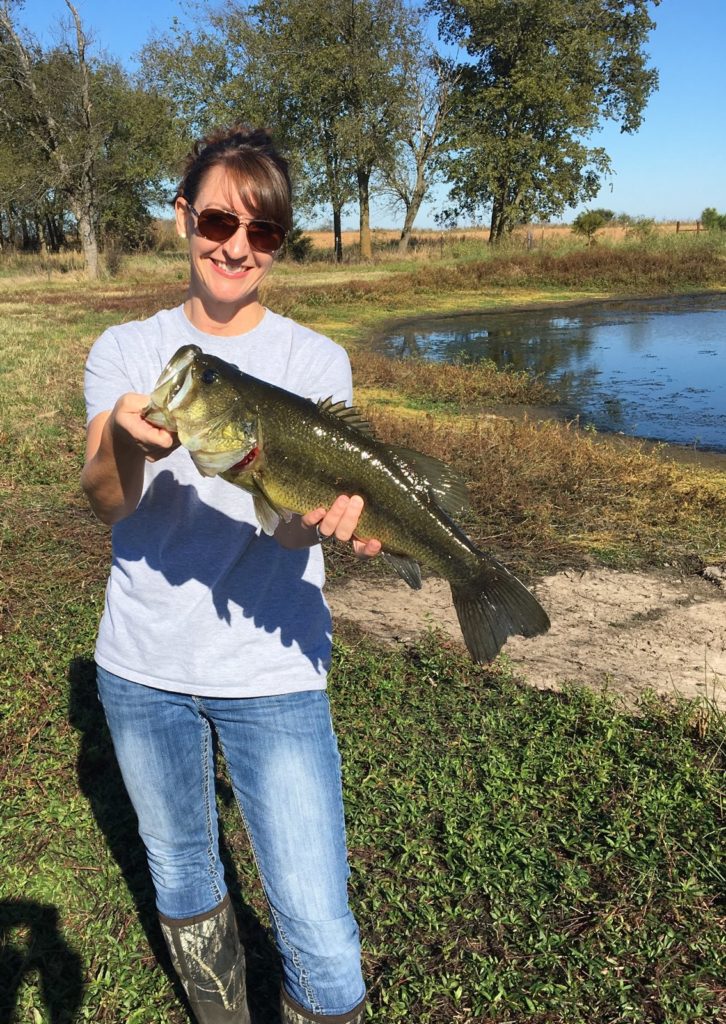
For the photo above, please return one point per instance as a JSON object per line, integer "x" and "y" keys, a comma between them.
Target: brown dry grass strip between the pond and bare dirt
{"x": 549, "y": 495}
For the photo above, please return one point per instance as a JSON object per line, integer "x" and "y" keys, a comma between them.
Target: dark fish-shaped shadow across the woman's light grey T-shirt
{"x": 185, "y": 539}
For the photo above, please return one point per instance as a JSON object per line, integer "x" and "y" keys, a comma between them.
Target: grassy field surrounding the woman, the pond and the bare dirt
{"x": 517, "y": 856}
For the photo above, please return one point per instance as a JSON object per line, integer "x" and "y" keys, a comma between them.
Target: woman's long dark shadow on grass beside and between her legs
{"x": 101, "y": 782}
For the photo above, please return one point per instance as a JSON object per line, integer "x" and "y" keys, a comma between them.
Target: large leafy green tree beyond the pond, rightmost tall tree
{"x": 541, "y": 77}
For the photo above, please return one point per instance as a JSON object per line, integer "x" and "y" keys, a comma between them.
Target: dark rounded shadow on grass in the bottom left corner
{"x": 31, "y": 942}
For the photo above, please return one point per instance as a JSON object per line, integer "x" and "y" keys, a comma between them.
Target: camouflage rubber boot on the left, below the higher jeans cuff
{"x": 210, "y": 963}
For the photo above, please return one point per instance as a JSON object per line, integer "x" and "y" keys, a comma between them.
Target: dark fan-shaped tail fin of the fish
{"x": 494, "y": 606}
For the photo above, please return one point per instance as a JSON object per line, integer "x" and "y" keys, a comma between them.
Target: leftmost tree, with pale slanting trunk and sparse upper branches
{"x": 81, "y": 138}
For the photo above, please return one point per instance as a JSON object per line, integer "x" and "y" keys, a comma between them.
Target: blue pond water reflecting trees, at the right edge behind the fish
{"x": 652, "y": 369}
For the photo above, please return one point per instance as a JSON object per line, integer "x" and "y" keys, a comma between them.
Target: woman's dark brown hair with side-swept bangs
{"x": 254, "y": 165}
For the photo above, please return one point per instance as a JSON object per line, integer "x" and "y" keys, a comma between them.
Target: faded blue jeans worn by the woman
{"x": 285, "y": 769}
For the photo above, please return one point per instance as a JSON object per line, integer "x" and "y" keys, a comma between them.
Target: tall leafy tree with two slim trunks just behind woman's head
{"x": 329, "y": 78}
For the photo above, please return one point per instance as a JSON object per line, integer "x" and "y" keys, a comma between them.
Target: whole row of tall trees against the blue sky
{"x": 500, "y": 108}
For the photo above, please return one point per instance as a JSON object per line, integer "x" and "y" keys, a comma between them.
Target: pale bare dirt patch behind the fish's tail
{"x": 625, "y": 632}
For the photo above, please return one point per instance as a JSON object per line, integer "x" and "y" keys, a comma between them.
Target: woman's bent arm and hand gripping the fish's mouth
{"x": 117, "y": 446}
